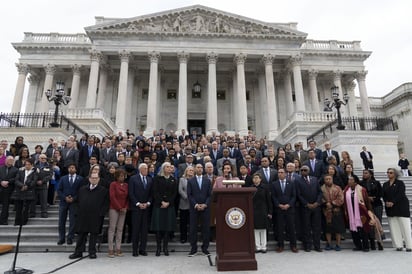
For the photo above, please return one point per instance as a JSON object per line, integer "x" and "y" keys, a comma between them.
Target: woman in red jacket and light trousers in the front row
{"x": 119, "y": 204}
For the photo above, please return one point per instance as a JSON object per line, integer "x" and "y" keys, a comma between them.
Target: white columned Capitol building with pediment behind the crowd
{"x": 198, "y": 68}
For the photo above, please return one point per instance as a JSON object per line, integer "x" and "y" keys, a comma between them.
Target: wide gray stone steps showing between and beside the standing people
{"x": 41, "y": 234}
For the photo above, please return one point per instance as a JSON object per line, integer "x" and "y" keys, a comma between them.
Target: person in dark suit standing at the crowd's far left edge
{"x": 7, "y": 177}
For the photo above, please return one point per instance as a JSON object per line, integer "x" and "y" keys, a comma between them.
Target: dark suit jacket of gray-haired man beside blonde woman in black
{"x": 137, "y": 192}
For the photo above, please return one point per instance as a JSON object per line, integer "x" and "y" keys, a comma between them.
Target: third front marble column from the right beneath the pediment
{"x": 240, "y": 60}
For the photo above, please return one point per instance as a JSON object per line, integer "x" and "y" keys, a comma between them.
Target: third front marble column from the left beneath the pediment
{"x": 152, "y": 110}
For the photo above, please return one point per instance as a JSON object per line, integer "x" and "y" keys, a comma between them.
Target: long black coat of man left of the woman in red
{"x": 91, "y": 206}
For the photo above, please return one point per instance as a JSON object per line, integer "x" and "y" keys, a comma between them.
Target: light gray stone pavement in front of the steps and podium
{"x": 346, "y": 261}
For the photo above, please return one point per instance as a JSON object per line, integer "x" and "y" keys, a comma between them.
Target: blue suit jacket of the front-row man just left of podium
{"x": 196, "y": 195}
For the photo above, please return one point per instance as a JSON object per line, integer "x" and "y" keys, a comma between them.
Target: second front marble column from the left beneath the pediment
{"x": 121, "y": 107}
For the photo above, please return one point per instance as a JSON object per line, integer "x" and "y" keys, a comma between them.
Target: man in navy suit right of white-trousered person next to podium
{"x": 284, "y": 199}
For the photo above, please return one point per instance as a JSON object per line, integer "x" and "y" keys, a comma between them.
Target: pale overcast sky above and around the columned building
{"x": 383, "y": 27}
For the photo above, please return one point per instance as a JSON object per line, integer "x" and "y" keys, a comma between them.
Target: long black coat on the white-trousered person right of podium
{"x": 262, "y": 206}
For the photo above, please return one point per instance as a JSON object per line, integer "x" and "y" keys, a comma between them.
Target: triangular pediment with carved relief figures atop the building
{"x": 197, "y": 20}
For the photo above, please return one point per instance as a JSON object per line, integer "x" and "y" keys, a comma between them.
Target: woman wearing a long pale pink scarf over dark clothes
{"x": 357, "y": 205}
